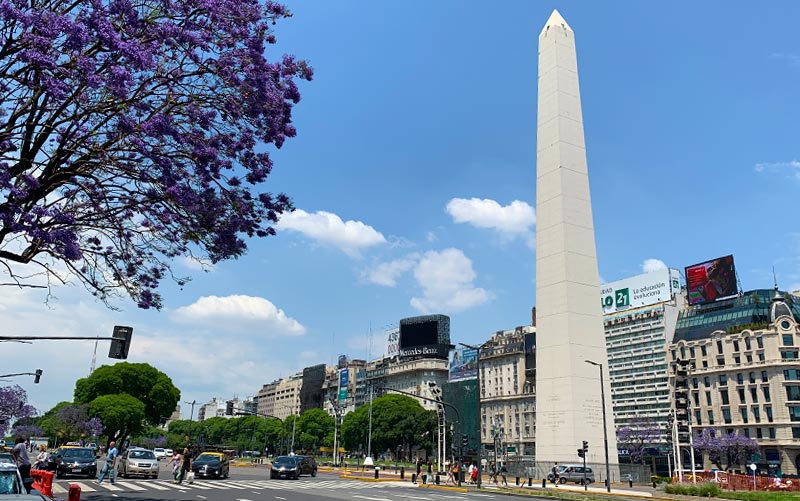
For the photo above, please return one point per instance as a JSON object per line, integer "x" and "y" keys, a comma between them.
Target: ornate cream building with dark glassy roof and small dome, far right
{"x": 743, "y": 377}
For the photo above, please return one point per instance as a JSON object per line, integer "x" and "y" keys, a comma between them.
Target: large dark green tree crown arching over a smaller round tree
{"x": 141, "y": 381}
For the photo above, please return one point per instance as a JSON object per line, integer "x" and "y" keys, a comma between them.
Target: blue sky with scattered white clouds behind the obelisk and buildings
{"x": 414, "y": 178}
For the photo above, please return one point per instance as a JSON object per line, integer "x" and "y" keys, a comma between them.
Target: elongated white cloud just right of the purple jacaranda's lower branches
{"x": 351, "y": 237}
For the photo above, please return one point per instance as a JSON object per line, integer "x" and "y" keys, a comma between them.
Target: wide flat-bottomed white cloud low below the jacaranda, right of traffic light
{"x": 239, "y": 313}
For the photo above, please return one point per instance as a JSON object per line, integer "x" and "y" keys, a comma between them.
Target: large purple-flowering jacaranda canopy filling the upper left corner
{"x": 133, "y": 132}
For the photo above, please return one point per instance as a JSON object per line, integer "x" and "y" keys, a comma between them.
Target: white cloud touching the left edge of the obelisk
{"x": 513, "y": 220}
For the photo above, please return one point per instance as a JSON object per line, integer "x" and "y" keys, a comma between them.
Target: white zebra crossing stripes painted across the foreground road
{"x": 61, "y": 488}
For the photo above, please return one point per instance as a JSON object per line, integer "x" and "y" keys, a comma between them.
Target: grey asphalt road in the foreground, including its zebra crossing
{"x": 254, "y": 484}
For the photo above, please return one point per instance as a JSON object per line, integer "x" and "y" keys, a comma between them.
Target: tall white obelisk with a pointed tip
{"x": 569, "y": 322}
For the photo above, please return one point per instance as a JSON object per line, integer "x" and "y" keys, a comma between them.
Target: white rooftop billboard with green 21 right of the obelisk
{"x": 642, "y": 290}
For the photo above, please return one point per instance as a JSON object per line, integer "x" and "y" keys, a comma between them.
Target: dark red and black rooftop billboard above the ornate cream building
{"x": 711, "y": 280}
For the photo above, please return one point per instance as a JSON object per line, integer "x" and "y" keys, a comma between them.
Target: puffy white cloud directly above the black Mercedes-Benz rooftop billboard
{"x": 446, "y": 279}
